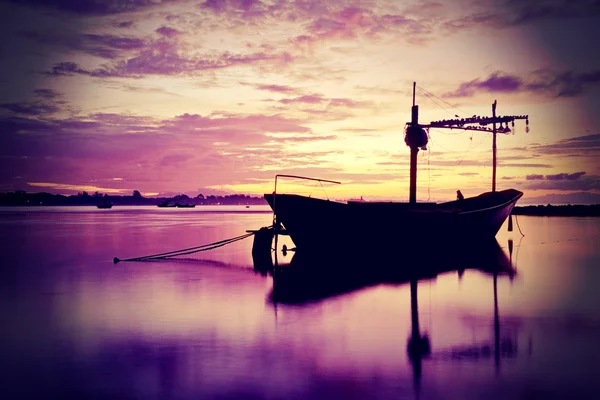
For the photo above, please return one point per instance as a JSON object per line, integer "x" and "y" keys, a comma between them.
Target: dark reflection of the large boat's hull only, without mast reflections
{"x": 312, "y": 277}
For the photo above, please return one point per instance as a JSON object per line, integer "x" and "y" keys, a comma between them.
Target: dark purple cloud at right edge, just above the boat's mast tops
{"x": 549, "y": 83}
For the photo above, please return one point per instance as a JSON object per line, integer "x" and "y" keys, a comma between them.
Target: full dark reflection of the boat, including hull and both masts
{"x": 311, "y": 277}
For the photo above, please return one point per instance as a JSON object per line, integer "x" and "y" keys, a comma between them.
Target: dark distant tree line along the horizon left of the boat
{"x": 22, "y": 198}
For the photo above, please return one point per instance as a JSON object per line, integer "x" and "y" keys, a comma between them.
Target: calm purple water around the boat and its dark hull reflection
{"x": 74, "y": 325}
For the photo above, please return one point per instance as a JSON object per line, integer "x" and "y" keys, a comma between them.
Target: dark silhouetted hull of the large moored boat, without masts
{"x": 317, "y": 224}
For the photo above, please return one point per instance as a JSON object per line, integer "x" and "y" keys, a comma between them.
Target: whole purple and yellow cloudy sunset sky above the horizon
{"x": 180, "y": 96}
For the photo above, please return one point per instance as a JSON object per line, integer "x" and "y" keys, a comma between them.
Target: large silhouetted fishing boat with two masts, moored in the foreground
{"x": 317, "y": 224}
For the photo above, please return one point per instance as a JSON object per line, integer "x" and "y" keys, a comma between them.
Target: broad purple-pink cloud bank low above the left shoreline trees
{"x": 143, "y": 149}
